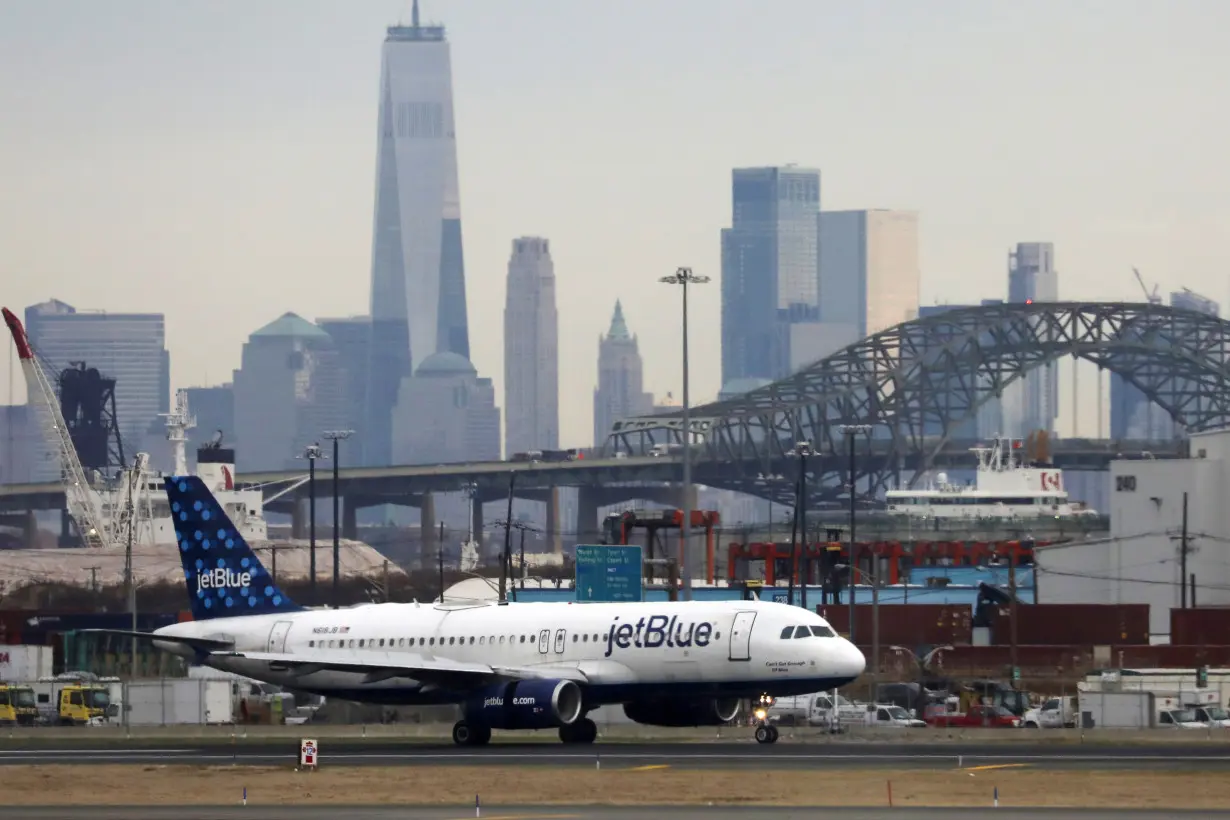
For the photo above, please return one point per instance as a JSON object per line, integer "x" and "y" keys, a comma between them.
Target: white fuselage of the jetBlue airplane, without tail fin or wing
{"x": 624, "y": 651}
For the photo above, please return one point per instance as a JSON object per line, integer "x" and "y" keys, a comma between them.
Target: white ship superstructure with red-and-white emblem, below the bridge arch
{"x": 1004, "y": 487}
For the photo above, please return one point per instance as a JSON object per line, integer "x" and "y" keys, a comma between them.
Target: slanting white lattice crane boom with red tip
{"x": 82, "y": 503}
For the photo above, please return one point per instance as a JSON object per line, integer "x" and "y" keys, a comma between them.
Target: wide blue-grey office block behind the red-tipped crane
{"x": 130, "y": 349}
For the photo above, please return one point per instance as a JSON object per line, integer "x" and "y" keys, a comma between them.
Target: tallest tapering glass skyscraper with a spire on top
{"x": 419, "y": 306}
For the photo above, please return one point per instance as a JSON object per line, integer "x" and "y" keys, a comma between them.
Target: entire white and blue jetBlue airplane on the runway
{"x": 509, "y": 666}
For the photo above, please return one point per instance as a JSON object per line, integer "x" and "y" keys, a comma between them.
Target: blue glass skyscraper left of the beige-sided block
{"x": 771, "y": 269}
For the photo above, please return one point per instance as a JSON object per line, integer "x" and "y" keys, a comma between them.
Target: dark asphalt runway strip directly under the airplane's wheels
{"x": 704, "y": 755}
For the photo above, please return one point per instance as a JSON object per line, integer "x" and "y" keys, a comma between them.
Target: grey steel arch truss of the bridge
{"x": 917, "y": 382}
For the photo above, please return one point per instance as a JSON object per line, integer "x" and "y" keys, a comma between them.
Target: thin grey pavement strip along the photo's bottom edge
{"x": 571, "y": 813}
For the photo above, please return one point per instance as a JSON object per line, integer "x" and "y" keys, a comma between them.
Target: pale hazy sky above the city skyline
{"x": 216, "y": 160}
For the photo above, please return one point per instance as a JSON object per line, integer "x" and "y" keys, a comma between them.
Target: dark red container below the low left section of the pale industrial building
{"x": 1077, "y": 624}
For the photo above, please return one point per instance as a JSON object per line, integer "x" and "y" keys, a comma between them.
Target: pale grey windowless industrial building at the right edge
{"x": 1147, "y": 559}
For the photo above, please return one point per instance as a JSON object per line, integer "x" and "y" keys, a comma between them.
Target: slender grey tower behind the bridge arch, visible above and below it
{"x": 1033, "y": 403}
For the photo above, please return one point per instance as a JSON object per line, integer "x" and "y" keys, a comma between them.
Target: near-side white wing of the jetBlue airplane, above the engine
{"x": 384, "y": 666}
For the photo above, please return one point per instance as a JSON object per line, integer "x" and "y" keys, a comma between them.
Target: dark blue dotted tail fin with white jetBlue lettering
{"x": 224, "y": 577}
